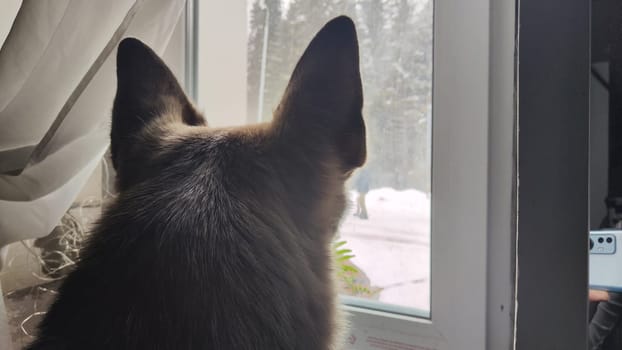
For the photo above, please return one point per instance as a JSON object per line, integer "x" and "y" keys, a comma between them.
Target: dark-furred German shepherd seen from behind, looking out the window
{"x": 220, "y": 238}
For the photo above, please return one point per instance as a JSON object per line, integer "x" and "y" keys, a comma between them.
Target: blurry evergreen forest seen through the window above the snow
{"x": 396, "y": 46}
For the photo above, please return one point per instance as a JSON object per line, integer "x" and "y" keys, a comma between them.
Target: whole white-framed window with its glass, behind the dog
{"x": 425, "y": 278}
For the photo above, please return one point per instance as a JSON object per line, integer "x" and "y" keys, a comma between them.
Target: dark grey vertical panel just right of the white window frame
{"x": 553, "y": 138}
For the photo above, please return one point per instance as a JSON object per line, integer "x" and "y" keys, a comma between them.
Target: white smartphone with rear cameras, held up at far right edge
{"x": 606, "y": 260}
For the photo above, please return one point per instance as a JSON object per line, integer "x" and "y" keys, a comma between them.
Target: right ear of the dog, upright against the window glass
{"x": 324, "y": 97}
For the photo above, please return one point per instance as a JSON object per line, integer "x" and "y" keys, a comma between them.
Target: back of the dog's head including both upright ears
{"x": 316, "y": 138}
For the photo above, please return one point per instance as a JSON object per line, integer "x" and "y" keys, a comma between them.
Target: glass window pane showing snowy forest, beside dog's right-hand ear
{"x": 384, "y": 241}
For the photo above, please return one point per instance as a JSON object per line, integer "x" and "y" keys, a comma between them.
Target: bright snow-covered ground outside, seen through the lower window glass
{"x": 393, "y": 246}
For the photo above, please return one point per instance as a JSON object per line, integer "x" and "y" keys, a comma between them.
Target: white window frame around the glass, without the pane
{"x": 473, "y": 168}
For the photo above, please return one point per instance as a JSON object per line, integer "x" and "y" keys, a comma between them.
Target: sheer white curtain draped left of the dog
{"x": 57, "y": 83}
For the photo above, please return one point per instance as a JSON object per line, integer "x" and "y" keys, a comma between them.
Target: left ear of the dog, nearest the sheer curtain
{"x": 146, "y": 91}
